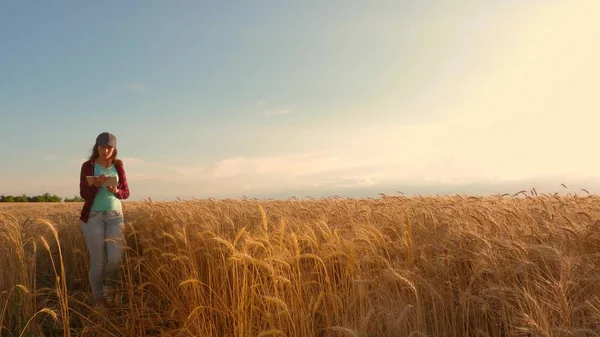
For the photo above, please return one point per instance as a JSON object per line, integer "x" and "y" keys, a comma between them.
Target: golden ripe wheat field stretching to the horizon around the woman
{"x": 522, "y": 265}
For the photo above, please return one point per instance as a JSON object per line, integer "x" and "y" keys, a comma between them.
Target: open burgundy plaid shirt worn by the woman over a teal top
{"x": 88, "y": 192}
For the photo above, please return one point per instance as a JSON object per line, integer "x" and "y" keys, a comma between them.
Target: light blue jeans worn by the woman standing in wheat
{"x": 104, "y": 235}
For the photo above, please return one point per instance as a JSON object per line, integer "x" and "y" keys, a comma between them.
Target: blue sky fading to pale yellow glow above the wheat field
{"x": 275, "y": 99}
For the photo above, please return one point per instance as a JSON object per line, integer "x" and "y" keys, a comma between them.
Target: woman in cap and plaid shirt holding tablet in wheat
{"x": 102, "y": 215}
